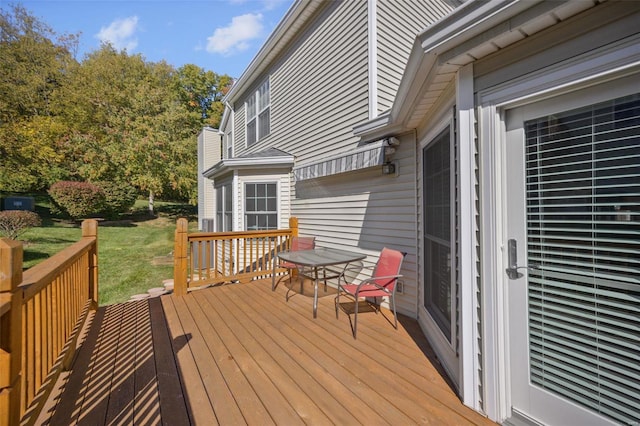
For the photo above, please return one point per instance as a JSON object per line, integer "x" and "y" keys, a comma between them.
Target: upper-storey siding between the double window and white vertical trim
{"x": 308, "y": 118}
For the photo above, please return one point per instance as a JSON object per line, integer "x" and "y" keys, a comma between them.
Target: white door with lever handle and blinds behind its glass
{"x": 572, "y": 172}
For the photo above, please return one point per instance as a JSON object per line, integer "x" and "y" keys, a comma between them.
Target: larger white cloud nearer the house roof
{"x": 236, "y": 36}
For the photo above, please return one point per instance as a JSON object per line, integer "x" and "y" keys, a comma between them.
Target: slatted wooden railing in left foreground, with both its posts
{"x": 41, "y": 313}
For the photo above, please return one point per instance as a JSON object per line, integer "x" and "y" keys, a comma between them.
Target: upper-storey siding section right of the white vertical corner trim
{"x": 395, "y": 41}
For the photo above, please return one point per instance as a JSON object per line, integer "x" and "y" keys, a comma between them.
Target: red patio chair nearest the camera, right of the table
{"x": 383, "y": 283}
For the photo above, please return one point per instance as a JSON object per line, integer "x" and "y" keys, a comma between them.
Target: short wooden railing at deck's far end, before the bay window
{"x": 205, "y": 258}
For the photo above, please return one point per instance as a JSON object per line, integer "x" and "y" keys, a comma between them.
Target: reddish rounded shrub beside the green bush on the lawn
{"x": 78, "y": 199}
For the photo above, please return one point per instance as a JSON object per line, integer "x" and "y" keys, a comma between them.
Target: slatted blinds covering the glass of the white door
{"x": 583, "y": 231}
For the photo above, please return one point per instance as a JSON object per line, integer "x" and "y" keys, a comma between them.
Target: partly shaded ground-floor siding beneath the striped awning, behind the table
{"x": 365, "y": 211}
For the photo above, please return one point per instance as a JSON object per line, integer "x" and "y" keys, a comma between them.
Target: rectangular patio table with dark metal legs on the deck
{"x": 318, "y": 259}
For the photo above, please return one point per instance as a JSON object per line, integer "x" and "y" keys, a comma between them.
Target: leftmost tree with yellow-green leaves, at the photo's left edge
{"x": 33, "y": 67}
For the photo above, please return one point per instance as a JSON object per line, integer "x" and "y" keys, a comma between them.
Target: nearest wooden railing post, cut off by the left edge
{"x": 10, "y": 331}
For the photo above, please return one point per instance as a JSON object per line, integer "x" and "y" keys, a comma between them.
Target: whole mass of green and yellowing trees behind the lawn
{"x": 111, "y": 117}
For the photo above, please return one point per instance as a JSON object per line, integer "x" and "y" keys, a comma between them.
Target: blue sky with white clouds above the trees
{"x": 217, "y": 35}
